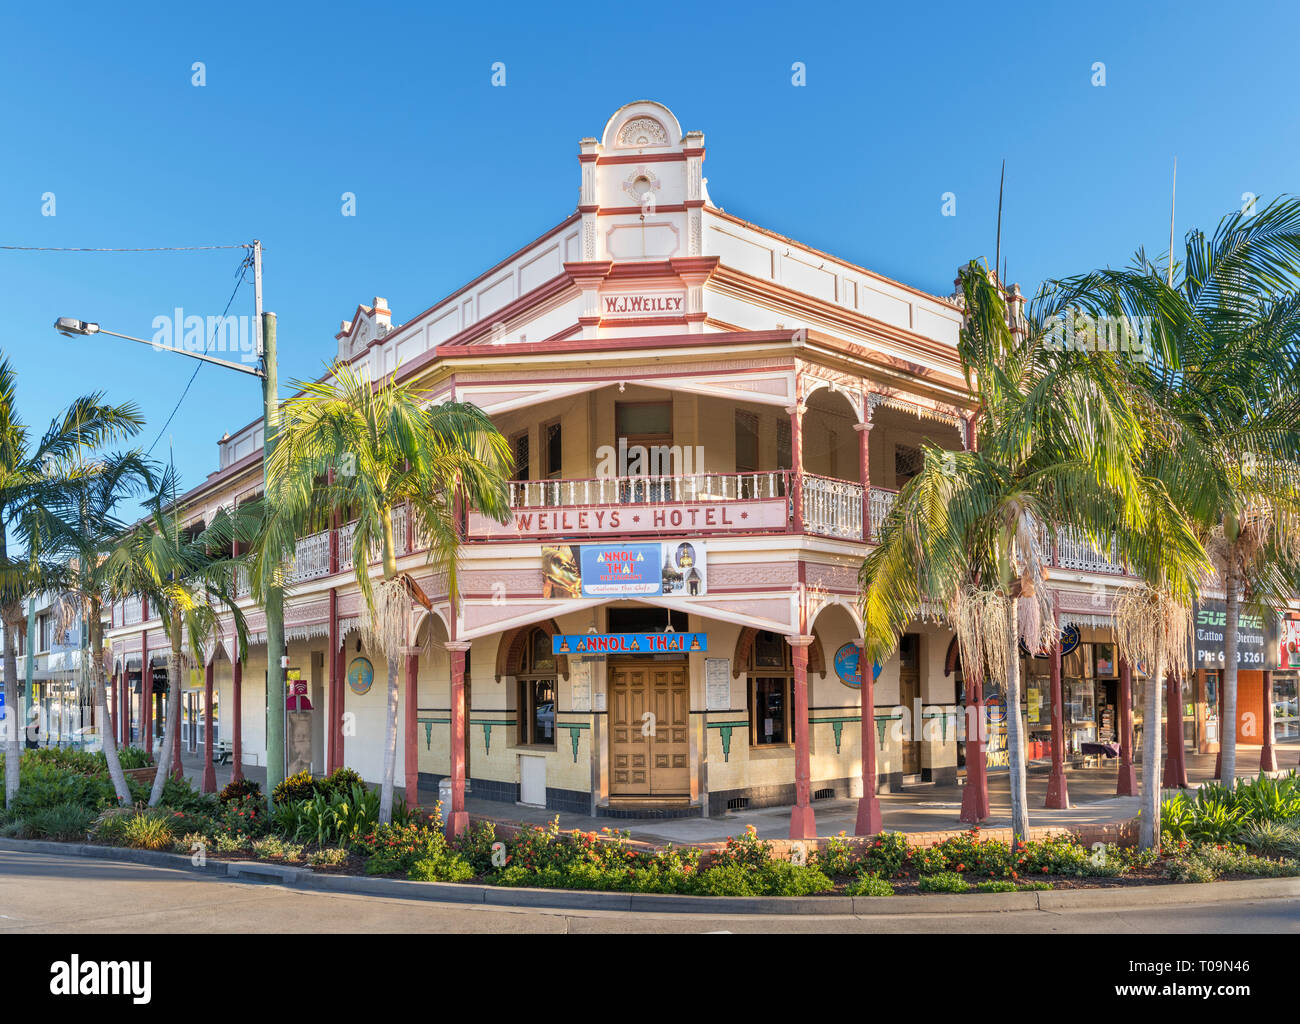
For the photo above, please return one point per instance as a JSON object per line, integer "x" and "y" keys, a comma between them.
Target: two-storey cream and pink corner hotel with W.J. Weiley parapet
{"x": 708, "y": 419}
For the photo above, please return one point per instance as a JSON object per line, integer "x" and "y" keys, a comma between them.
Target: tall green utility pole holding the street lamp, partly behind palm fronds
{"x": 275, "y": 604}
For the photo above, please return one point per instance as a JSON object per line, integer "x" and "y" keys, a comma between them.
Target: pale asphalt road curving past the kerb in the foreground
{"x": 68, "y": 895}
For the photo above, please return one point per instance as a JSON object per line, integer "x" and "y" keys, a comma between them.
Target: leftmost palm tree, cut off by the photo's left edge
{"x": 32, "y": 476}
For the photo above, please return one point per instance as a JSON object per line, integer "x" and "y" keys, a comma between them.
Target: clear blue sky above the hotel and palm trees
{"x": 395, "y": 103}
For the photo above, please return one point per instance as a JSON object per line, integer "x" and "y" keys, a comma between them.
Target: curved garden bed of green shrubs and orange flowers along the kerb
{"x": 331, "y": 826}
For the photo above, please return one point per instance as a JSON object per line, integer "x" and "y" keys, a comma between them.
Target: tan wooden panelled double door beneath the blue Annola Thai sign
{"x": 649, "y": 715}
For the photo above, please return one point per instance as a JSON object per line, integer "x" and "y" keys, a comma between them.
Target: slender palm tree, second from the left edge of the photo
{"x": 84, "y": 527}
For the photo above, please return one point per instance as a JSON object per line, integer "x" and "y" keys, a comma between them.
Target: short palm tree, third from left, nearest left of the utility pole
{"x": 177, "y": 572}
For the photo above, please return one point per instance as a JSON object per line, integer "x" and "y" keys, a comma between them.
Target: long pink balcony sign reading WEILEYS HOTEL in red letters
{"x": 636, "y": 519}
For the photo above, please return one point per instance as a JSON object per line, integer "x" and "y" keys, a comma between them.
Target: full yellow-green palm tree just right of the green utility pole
{"x": 374, "y": 449}
